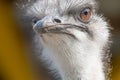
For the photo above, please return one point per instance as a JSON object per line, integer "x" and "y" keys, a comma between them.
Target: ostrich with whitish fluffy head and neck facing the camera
{"x": 73, "y": 37}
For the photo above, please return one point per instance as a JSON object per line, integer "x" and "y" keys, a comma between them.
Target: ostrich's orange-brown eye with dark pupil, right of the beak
{"x": 85, "y": 14}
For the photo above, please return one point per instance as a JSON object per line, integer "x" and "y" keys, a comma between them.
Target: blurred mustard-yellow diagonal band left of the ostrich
{"x": 13, "y": 64}
